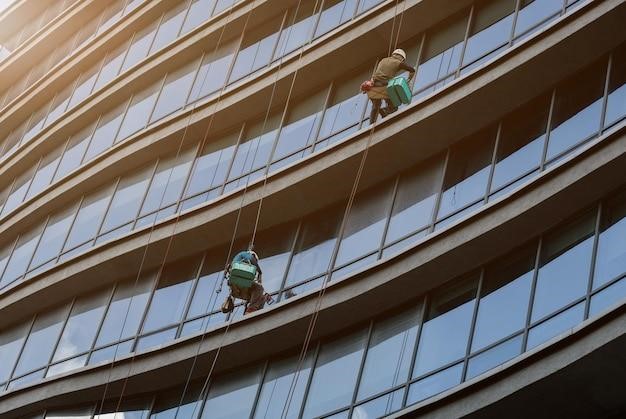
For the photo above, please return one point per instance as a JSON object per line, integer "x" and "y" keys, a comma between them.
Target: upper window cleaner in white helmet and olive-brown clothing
{"x": 387, "y": 69}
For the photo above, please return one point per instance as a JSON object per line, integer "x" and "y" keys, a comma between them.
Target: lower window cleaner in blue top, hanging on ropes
{"x": 255, "y": 296}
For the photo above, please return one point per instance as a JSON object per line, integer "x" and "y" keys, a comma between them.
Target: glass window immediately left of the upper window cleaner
{"x": 345, "y": 110}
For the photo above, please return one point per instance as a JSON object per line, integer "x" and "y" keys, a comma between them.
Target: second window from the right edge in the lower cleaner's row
{"x": 578, "y": 106}
